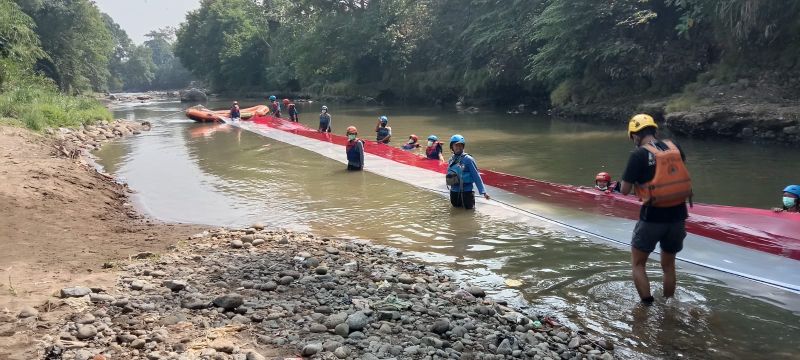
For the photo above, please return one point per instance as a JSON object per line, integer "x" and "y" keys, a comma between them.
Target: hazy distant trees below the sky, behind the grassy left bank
{"x": 84, "y": 50}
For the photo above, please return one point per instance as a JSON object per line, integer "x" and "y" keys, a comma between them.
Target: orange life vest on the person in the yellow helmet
{"x": 671, "y": 185}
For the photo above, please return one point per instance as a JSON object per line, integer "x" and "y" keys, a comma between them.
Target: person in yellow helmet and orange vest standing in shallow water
{"x": 657, "y": 174}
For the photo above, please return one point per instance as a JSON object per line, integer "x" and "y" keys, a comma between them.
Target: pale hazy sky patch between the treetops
{"x": 138, "y": 17}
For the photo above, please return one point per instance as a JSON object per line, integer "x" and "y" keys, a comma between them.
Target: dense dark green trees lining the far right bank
{"x": 575, "y": 51}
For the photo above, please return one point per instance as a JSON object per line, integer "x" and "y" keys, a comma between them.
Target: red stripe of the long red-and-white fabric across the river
{"x": 758, "y": 229}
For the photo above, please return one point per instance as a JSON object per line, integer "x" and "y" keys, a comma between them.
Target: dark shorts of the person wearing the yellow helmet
{"x": 669, "y": 235}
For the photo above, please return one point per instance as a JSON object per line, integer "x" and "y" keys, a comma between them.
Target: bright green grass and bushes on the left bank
{"x": 29, "y": 99}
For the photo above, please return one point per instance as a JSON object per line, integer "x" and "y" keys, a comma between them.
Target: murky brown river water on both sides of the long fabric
{"x": 210, "y": 174}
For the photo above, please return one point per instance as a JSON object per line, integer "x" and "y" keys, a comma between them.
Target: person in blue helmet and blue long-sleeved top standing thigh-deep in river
{"x": 462, "y": 173}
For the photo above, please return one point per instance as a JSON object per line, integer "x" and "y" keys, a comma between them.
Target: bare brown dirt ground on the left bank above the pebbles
{"x": 60, "y": 223}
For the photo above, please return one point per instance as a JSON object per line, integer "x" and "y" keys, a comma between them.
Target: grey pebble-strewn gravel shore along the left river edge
{"x": 256, "y": 293}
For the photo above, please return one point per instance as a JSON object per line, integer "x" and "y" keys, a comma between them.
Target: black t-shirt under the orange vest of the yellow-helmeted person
{"x": 641, "y": 168}
